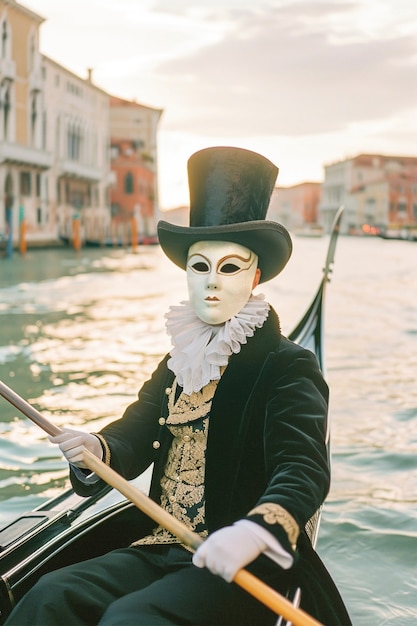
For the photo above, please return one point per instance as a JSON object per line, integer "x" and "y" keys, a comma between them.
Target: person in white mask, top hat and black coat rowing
{"x": 234, "y": 420}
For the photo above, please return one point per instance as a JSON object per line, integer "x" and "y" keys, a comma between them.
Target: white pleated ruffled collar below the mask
{"x": 200, "y": 350}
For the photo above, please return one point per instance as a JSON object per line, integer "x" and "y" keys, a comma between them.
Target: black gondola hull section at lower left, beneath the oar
{"x": 52, "y": 540}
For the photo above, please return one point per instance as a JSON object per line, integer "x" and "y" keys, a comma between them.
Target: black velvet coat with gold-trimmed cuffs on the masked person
{"x": 266, "y": 443}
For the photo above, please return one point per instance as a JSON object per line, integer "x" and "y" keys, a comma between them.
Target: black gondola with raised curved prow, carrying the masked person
{"x": 71, "y": 528}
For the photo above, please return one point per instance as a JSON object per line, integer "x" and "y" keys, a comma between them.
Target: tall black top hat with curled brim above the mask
{"x": 230, "y": 190}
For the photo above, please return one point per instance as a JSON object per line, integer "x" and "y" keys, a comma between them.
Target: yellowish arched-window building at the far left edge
{"x": 24, "y": 156}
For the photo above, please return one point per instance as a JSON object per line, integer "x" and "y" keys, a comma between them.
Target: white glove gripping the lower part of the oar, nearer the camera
{"x": 229, "y": 549}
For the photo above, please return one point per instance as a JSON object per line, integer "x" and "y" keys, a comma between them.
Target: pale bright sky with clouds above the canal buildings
{"x": 304, "y": 83}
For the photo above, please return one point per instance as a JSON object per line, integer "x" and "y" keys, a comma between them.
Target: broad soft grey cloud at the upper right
{"x": 289, "y": 72}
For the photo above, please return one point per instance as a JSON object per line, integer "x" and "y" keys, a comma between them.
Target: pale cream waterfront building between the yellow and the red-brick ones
{"x": 77, "y": 135}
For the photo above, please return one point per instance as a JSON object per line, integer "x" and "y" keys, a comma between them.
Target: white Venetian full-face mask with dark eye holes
{"x": 220, "y": 277}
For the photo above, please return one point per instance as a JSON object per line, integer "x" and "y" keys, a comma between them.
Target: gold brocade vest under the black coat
{"x": 183, "y": 480}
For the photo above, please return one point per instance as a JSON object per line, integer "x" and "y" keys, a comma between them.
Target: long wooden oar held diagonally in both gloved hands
{"x": 269, "y": 597}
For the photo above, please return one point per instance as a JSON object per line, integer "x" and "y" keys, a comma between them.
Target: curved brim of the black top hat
{"x": 270, "y": 241}
